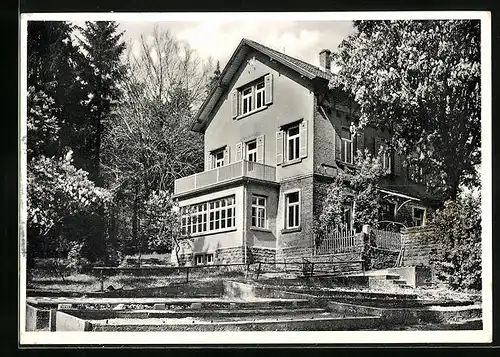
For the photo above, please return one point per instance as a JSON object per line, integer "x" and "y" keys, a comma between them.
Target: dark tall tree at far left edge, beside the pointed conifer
{"x": 54, "y": 92}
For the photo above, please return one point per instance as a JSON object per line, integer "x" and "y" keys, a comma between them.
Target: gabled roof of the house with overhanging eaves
{"x": 204, "y": 115}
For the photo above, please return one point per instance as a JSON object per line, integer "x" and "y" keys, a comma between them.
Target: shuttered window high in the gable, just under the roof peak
{"x": 252, "y": 97}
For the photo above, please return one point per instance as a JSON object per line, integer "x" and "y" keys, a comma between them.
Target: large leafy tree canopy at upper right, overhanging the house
{"x": 421, "y": 81}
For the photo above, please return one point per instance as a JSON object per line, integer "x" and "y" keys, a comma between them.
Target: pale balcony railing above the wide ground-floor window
{"x": 233, "y": 171}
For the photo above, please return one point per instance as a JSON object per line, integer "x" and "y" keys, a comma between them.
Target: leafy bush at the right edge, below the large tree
{"x": 458, "y": 227}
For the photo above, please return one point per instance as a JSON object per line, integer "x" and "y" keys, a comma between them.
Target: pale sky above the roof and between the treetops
{"x": 218, "y": 39}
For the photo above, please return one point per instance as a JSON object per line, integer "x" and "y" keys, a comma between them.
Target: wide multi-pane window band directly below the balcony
{"x": 209, "y": 216}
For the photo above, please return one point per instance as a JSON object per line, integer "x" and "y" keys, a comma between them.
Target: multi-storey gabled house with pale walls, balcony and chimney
{"x": 275, "y": 137}
